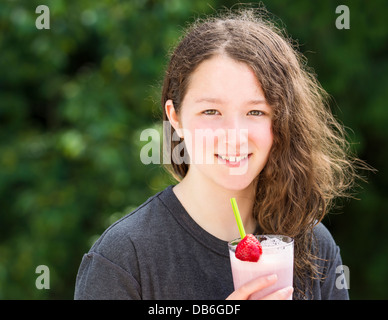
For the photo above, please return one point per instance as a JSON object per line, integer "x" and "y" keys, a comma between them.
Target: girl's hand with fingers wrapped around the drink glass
{"x": 244, "y": 292}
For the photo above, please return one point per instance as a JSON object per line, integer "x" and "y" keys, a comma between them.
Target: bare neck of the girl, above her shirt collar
{"x": 209, "y": 206}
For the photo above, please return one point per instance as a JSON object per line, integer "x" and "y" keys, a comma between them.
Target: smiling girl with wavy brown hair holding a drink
{"x": 277, "y": 149}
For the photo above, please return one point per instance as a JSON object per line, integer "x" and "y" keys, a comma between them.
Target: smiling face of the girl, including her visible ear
{"x": 226, "y": 123}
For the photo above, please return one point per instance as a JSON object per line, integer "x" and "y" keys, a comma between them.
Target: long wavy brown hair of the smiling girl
{"x": 310, "y": 163}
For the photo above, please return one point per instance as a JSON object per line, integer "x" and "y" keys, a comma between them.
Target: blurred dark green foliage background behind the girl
{"x": 74, "y": 99}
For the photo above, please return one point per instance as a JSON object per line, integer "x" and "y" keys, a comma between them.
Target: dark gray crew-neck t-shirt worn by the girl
{"x": 159, "y": 252}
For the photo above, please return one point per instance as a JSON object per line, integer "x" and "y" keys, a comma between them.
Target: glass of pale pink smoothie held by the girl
{"x": 277, "y": 258}
